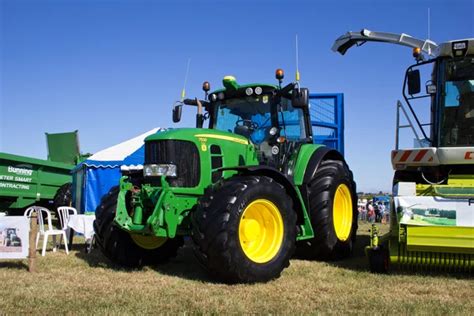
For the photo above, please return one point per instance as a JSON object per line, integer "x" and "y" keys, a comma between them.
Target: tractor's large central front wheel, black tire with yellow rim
{"x": 245, "y": 230}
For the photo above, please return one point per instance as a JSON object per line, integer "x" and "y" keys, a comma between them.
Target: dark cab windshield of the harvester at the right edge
{"x": 457, "y": 103}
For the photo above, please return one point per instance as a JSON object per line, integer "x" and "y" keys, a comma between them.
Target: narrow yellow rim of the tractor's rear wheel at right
{"x": 342, "y": 212}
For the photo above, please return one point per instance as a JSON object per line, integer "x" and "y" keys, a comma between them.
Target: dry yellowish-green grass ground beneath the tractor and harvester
{"x": 86, "y": 284}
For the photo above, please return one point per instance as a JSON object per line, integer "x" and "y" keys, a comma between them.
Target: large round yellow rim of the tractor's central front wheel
{"x": 261, "y": 231}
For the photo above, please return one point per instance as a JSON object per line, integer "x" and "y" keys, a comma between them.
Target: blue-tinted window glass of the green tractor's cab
{"x": 252, "y": 117}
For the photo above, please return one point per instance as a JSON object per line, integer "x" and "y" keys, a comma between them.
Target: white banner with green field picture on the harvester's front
{"x": 432, "y": 210}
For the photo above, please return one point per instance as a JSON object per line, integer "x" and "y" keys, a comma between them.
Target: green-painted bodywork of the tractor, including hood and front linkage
{"x": 162, "y": 210}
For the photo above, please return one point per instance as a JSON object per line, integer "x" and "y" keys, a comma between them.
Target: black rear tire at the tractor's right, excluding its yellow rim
{"x": 321, "y": 191}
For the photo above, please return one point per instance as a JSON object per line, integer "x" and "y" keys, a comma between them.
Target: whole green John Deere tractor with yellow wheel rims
{"x": 249, "y": 189}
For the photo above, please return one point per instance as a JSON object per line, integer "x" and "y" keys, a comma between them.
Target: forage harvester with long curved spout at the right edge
{"x": 432, "y": 216}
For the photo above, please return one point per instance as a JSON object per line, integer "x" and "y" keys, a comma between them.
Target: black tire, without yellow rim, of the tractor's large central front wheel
{"x": 216, "y": 229}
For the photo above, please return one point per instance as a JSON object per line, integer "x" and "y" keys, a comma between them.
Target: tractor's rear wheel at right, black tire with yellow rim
{"x": 333, "y": 212}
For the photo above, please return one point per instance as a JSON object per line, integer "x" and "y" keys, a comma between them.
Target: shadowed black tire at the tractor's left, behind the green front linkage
{"x": 118, "y": 246}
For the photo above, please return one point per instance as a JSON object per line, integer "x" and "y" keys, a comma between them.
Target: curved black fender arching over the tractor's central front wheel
{"x": 278, "y": 177}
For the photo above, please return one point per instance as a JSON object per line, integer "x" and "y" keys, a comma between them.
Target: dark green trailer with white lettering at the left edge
{"x": 26, "y": 181}
